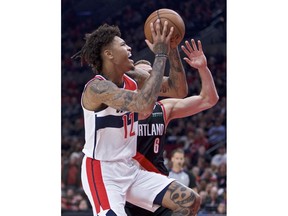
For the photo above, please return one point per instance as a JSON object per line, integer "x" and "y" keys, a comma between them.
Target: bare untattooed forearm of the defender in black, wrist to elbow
{"x": 208, "y": 90}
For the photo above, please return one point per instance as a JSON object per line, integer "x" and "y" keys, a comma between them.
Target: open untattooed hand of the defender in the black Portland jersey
{"x": 196, "y": 57}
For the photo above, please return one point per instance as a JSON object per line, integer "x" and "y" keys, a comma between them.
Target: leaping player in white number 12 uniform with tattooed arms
{"x": 111, "y": 102}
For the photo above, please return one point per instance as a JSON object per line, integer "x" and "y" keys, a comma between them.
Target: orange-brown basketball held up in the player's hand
{"x": 173, "y": 18}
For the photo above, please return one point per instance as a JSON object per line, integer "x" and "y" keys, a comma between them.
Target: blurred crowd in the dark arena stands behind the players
{"x": 202, "y": 136}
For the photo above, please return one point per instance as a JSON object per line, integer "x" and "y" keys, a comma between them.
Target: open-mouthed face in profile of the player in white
{"x": 121, "y": 53}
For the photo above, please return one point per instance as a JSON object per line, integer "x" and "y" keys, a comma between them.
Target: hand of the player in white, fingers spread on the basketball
{"x": 161, "y": 40}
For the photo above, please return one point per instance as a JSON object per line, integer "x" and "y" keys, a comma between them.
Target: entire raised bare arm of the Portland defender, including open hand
{"x": 208, "y": 97}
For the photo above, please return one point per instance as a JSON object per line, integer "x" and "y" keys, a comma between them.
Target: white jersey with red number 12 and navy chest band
{"x": 111, "y": 134}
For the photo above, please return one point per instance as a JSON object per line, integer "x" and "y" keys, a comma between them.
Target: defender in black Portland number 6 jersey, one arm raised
{"x": 151, "y": 132}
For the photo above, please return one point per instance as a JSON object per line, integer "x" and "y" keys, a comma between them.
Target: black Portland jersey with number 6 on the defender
{"x": 150, "y": 141}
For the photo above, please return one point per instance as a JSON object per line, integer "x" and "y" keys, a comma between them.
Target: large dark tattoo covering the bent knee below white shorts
{"x": 184, "y": 198}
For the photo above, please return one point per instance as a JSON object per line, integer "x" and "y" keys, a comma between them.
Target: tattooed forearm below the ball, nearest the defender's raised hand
{"x": 177, "y": 77}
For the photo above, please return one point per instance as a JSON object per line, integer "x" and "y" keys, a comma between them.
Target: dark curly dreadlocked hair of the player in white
{"x": 91, "y": 51}
